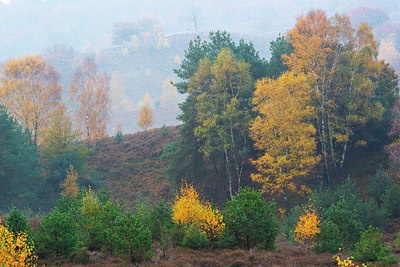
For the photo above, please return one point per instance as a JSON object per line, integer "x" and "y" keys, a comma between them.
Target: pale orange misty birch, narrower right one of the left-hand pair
{"x": 91, "y": 91}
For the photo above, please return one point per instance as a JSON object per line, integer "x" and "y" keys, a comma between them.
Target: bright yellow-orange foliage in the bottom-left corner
{"x": 15, "y": 250}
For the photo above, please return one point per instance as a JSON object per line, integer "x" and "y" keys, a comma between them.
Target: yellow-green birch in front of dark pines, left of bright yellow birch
{"x": 223, "y": 89}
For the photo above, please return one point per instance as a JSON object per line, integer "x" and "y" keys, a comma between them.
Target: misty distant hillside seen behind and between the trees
{"x": 137, "y": 73}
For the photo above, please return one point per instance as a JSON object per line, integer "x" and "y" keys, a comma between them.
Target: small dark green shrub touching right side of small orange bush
{"x": 328, "y": 239}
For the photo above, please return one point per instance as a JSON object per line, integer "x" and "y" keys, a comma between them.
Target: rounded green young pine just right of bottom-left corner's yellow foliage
{"x": 56, "y": 235}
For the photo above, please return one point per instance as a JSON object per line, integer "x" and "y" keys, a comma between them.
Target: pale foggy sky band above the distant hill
{"x": 31, "y": 26}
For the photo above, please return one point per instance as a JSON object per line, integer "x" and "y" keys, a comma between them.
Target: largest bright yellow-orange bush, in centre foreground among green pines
{"x": 188, "y": 210}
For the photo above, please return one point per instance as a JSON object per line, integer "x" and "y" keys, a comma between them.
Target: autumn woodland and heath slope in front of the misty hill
{"x": 288, "y": 161}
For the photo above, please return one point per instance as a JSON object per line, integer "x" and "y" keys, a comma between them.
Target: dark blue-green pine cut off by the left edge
{"x": 19, "y": 162}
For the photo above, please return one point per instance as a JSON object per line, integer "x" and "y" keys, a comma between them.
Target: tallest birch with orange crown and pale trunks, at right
{"x": 343, "y": 69}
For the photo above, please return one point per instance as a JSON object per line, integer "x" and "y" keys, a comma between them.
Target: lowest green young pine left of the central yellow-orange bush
{"x": 132, "y": 239}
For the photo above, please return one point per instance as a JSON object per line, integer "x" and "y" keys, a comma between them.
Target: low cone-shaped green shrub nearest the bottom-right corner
{"x": 371, "y": 248}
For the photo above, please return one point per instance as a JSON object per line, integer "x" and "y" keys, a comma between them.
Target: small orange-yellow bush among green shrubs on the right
{"x": 307, "y": 227}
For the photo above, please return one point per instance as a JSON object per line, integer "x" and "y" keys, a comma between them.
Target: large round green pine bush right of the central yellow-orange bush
{"x": 250, "y": 221}
